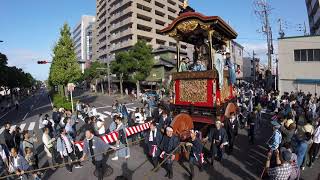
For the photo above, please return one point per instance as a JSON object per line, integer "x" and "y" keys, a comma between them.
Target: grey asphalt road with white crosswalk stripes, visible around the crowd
{"x": 246, "y": 162}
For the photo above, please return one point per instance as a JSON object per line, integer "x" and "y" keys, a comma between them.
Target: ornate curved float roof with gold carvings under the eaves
{"x": 189, "y": 21}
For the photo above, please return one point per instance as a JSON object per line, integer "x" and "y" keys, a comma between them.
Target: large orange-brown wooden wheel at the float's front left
{"x": 182, "y": 124}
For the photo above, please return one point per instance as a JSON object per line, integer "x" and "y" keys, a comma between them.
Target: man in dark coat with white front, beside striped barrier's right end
{"x": 153, "y": 138}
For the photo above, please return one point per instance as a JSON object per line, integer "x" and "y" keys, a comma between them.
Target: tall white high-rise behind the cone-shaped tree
{"x": 82, "y": 38}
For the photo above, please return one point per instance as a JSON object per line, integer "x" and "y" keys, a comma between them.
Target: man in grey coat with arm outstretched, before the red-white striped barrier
{"x": 94, "y": 148}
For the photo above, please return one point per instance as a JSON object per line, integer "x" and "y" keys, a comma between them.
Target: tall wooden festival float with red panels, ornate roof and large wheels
{"x": 201, "y": 97}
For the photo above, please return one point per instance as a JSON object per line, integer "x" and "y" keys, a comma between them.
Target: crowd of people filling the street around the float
{"x": 293, "y": 146}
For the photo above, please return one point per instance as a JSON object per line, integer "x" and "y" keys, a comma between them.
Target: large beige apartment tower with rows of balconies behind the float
{"x": 121, "y": 23}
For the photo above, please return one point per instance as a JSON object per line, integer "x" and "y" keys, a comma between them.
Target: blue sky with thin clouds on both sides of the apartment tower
{"x": 30, "y": 28}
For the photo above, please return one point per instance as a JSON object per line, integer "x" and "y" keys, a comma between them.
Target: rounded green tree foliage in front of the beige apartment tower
{"x": 135, "y": 64}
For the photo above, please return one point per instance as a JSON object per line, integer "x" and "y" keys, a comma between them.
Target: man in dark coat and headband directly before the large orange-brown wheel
{"x": 167, "y": 146}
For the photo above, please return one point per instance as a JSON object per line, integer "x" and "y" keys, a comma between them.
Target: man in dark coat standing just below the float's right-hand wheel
{"x": 231, "y": 125}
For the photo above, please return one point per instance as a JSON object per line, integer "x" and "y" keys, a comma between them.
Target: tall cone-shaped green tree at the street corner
{"x": 64, "y": 68}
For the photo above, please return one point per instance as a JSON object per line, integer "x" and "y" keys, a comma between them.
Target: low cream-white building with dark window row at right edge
{"x": 299, "y": 64}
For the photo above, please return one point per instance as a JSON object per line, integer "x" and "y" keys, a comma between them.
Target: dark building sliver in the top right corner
{"x": 314, "y": 16}
